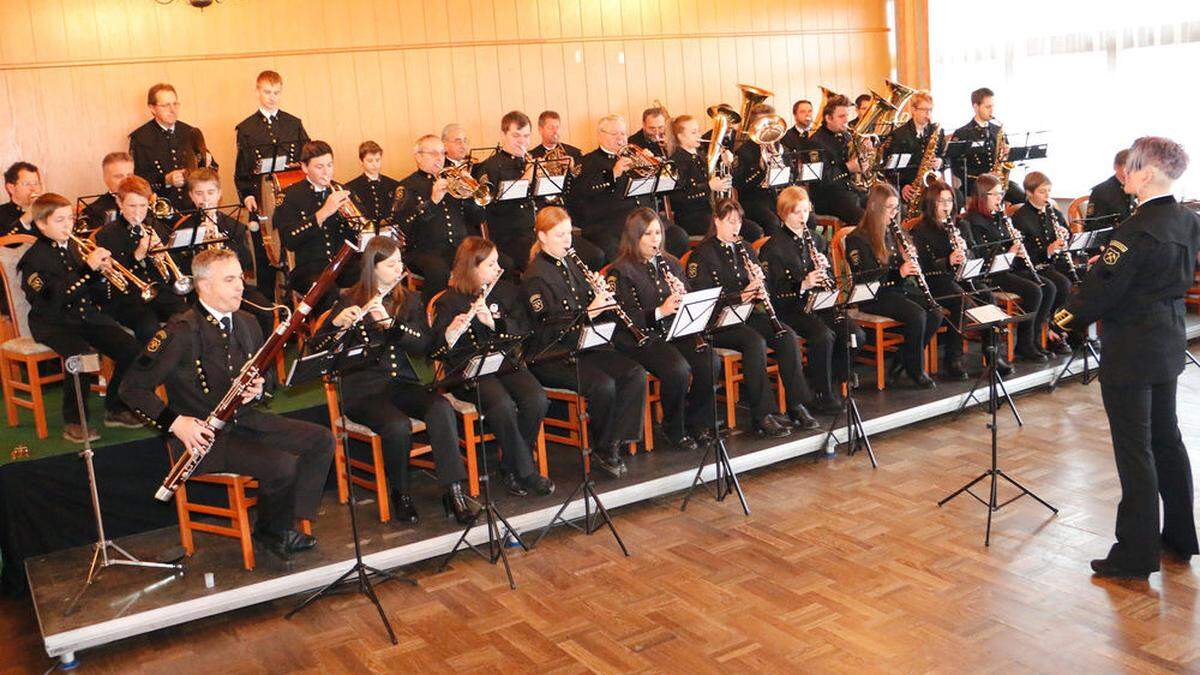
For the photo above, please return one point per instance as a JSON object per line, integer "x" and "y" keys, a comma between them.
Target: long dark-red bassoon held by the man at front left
{"x": 260, "y": 363}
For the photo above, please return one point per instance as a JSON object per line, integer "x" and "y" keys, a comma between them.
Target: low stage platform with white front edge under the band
{"x": 129, "y": 602}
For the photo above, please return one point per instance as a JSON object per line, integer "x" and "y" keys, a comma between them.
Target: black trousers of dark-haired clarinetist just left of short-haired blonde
{"x": 753, "y": 339}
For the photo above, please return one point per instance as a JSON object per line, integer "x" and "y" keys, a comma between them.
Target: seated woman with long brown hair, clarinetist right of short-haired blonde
{"x": 874, "y": 255}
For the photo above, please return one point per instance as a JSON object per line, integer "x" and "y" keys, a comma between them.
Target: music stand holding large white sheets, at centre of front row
{"x": 698, "y": 316}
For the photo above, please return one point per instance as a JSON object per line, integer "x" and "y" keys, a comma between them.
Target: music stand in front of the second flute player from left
{"x": 487, "y": 361}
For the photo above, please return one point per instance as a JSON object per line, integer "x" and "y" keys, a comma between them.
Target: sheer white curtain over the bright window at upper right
{"x": 1093, "y": 75}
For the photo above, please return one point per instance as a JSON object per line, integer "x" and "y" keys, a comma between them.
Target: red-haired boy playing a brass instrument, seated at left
{"x": 130, "y": 238}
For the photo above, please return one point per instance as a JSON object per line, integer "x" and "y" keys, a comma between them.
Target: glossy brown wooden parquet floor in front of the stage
{"x": 839, "y": 570}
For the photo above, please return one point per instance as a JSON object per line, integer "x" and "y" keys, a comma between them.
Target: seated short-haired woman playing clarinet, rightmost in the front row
{"x": 1047, "y": 236}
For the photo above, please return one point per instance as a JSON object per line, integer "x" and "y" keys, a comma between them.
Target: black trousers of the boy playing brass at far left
{"x": 103, "y": 336}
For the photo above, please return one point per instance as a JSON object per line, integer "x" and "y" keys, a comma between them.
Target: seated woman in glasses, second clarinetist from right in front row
{"x": 988, "y": 225}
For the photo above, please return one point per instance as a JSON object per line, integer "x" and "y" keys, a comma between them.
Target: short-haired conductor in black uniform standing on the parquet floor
{"x": 1138, "y": 292}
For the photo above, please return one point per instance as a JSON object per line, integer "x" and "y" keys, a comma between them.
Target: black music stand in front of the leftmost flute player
{"x": 344, "y": 357}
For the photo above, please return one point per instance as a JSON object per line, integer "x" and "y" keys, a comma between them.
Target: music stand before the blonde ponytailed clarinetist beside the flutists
{"x": 585, "y": 337}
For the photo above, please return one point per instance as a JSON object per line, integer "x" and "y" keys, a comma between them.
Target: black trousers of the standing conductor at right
{"x": 1153, "y": 465}
